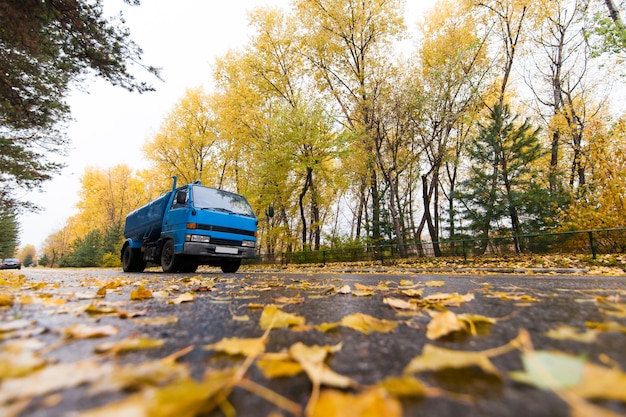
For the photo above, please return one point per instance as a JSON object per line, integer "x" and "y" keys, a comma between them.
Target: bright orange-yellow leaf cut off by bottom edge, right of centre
{"x": 371, "y": 403}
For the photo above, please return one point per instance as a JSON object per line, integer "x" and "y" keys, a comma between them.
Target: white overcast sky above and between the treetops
{"x": 111, "y": 125}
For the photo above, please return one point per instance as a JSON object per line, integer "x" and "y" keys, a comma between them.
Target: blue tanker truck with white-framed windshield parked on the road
{"x": 190, "y": 226}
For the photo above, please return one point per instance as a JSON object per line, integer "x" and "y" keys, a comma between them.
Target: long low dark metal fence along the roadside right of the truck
{"x": 591, "y": 242}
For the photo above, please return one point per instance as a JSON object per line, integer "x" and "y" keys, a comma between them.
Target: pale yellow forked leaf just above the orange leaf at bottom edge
{"x": 312, "y": 360}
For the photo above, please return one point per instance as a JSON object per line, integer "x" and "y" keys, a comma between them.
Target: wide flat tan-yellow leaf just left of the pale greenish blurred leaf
{"x": 435, "y": 358}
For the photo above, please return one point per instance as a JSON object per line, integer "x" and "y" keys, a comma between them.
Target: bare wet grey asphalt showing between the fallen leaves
{"x": 536, "y": 304}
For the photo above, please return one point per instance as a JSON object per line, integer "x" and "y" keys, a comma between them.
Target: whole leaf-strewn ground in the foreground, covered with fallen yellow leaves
{"x": 113, "y": 341}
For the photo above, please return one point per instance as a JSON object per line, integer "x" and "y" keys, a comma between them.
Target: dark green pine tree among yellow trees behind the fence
{"x": 504, "y": 190}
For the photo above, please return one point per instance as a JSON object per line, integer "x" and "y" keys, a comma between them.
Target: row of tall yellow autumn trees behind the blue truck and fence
{"x": 494, "y": 125}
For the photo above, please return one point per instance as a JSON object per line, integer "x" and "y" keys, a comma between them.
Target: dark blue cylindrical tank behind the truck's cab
{"x": 145, "y": 222}
